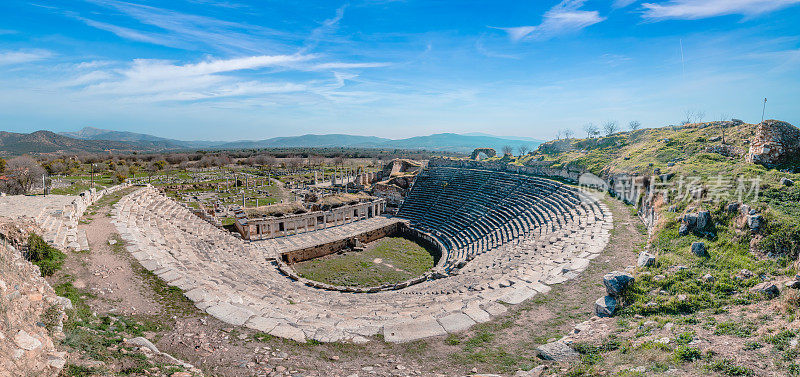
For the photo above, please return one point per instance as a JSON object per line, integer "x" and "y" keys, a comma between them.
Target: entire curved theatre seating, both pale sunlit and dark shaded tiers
{"x": 507, "y": 237}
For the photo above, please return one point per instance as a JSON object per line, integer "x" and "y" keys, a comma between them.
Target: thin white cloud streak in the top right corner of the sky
{"x": 698, "y": 9}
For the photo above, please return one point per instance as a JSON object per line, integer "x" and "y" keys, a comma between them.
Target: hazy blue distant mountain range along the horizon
{"x": 91, "y": 139}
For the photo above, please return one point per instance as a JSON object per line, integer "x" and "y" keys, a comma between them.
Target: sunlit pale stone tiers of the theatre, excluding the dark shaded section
{"x": 237, "y": 282}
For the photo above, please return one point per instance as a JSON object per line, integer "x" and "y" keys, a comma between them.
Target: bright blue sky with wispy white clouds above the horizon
{"x": 235, "y": 69}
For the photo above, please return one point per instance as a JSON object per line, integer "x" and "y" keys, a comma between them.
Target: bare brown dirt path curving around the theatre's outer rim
{"x": 502, "y": 346}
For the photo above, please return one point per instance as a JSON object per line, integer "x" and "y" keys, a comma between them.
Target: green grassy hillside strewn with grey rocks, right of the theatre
{"x": 698, "y": 295}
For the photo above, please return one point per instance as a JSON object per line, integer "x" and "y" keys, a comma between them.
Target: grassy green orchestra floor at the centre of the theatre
{"x": 385, "y": 261}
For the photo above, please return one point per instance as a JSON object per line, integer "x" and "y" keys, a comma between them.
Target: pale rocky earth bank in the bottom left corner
{"x": 31, "y": 316}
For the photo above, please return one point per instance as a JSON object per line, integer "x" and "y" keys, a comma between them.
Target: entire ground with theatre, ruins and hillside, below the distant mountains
{"x": 653, "y": 251}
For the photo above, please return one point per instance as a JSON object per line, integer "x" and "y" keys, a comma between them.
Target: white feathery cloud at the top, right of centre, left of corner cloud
{"x": 564, "y": 18}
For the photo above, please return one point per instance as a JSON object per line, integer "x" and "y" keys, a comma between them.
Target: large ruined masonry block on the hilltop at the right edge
{"x": 775, "y": 143}
